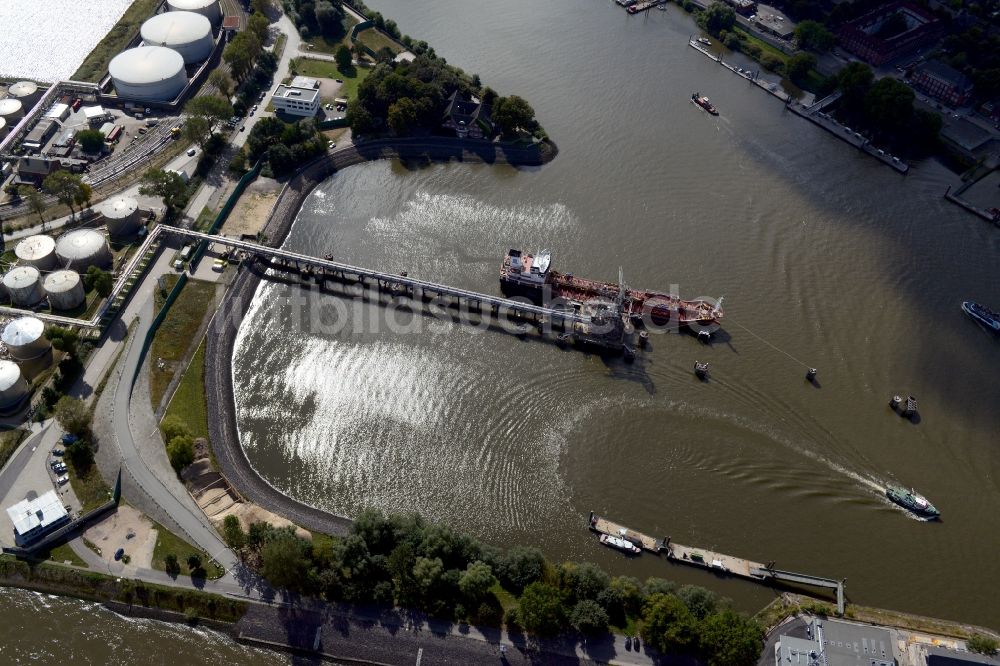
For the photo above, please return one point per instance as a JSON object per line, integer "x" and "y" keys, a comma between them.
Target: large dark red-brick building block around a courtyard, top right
{"x": 889, "y": 32}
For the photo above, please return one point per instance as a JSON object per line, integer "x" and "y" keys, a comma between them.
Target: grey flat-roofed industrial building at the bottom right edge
{"x": 833, "y": 643}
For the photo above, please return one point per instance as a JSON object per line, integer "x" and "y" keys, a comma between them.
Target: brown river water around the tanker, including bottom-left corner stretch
{"x": 825, "y": 258}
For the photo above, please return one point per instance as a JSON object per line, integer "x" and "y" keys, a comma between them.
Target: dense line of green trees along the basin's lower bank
{"x": 405, "y": 561}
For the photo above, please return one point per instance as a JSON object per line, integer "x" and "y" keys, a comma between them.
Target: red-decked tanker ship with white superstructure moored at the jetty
{"x": 531, "y": 275}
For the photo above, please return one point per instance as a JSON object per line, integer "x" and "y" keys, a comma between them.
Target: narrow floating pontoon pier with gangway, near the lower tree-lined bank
{"x": 719, "y": 563}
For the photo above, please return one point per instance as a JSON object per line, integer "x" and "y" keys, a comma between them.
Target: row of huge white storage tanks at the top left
{"x": 180, "y": 36}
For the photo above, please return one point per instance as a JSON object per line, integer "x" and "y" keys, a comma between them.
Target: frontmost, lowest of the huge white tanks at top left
{"x": 148, "y": 73}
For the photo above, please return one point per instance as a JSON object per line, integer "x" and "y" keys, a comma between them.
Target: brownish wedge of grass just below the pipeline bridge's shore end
{"x": 176, "y": 332}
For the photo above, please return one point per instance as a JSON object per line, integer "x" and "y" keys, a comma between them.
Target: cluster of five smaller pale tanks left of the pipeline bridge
{"x": 64, "y": 259}
